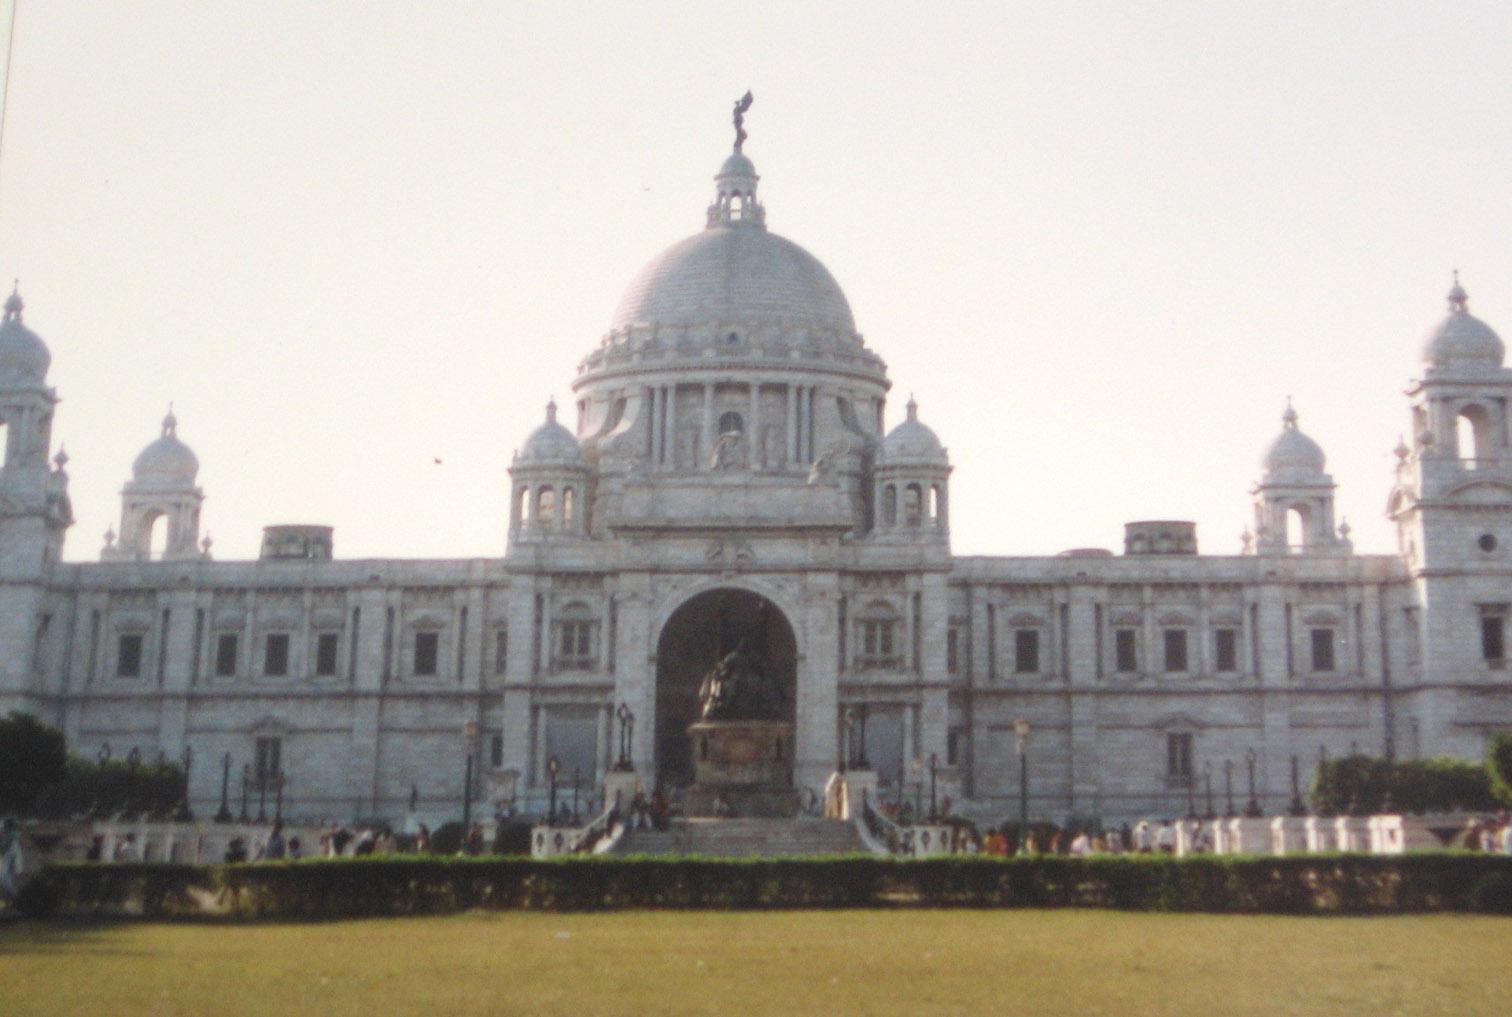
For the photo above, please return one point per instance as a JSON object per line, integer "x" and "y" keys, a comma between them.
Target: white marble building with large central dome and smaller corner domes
{"x": 730, "y": 437}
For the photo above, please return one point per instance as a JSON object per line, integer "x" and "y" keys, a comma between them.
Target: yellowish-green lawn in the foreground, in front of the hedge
{"x": 823, "y": 963}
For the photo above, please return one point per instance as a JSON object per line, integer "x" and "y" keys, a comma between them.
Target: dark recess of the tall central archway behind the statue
{"x": 689, "y": 648}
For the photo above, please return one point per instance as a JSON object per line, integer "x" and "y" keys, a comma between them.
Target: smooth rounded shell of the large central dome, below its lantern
{"x": 733, "y": 276}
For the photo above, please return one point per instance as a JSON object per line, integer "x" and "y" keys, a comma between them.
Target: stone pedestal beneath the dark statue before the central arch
{"x": 746, "y": 764}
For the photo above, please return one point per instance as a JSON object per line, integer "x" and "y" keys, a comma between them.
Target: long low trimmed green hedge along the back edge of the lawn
{"x": 1318, "y": 885}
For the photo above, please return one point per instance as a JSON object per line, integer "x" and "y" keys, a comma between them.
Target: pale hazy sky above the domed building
{"x": 1101, "y": 243}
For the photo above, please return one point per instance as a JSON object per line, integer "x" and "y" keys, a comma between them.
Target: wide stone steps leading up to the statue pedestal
{"x": 746, "y": 838}
